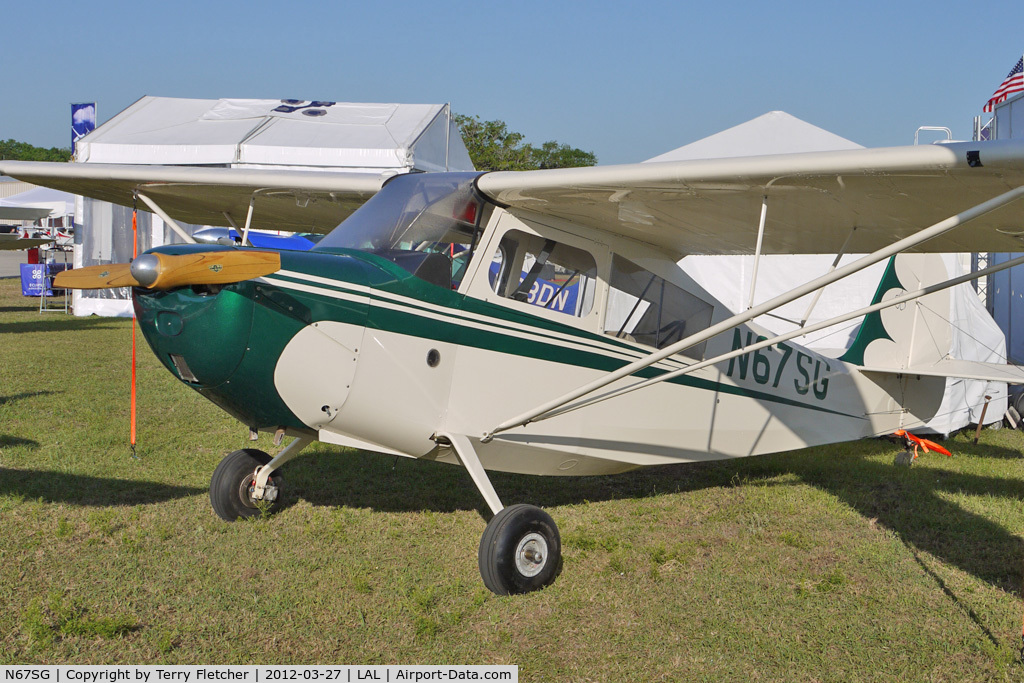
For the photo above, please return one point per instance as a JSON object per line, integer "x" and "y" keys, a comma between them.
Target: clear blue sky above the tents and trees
{"x": 625, "y": 81}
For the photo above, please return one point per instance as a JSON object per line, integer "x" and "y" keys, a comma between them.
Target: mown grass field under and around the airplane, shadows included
{"x": 824, "y": 565}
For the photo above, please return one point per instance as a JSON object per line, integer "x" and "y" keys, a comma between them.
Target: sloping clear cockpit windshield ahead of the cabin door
{"x": 428, "y": 224}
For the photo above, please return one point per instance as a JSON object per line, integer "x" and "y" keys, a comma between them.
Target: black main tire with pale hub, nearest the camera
{"x": 521, "y": 551}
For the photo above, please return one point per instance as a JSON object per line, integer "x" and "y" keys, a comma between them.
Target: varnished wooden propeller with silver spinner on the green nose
{"x": 164, "y": 272}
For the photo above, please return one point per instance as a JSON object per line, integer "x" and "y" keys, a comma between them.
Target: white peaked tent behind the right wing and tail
{"x": 976, "y": 337}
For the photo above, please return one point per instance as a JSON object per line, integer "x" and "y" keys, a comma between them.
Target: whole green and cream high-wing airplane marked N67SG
{"x": 539, "y": 323}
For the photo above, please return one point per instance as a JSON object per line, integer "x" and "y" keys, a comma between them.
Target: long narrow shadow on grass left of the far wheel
{"x": 83, "y": 490}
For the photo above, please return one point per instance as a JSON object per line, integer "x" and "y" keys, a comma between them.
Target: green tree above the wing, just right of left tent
{"x": 493, "y": 147}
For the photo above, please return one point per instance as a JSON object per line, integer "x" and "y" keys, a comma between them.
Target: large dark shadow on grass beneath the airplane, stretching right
{"x": 909, "y": 501}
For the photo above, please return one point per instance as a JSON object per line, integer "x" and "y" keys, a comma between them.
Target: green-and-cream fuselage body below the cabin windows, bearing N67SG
{"x": 353, "y": 350}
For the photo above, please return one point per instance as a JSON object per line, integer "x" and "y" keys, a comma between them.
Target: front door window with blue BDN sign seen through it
{"x": 544, "y": 273}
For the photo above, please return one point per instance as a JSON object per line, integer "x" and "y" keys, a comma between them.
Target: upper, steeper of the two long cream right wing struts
{"x": 731, "y": 323}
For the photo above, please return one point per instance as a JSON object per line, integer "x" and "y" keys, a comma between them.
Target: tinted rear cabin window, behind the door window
{"x": 649, "y": 310}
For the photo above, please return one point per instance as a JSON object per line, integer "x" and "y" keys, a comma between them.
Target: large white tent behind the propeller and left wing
{"x": 336, "y": 138}
